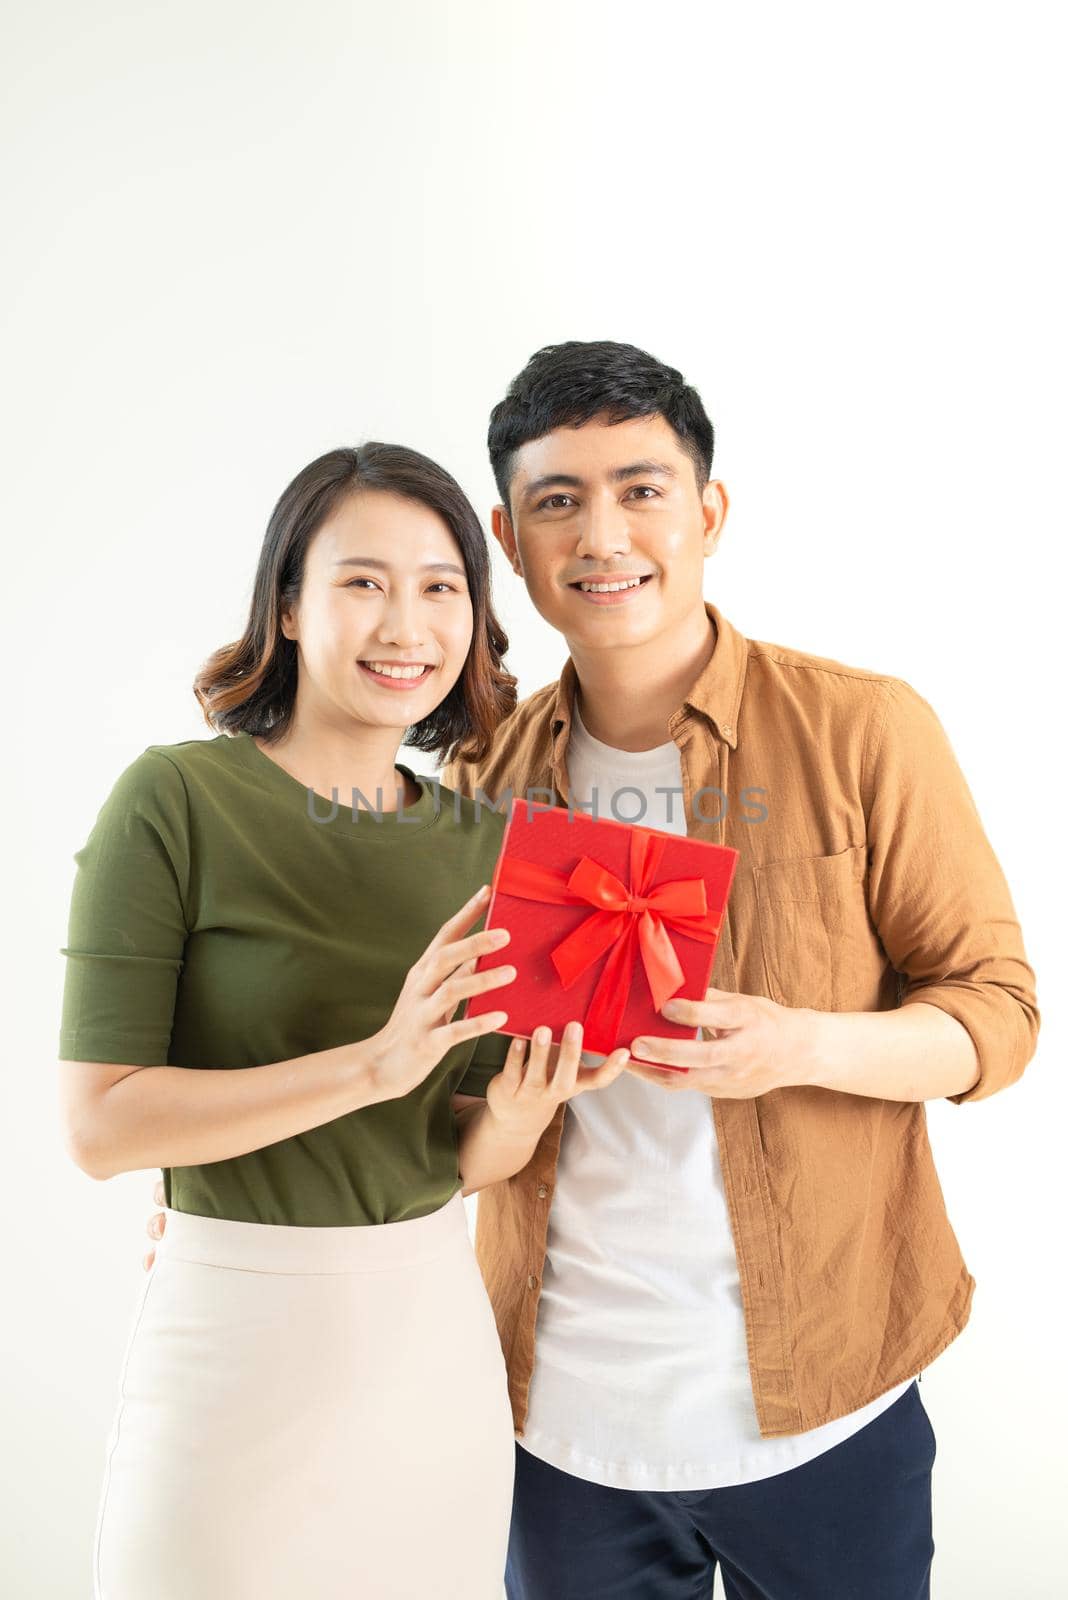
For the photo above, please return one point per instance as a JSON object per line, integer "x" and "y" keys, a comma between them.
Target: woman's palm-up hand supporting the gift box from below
{"x": 525, "y": 1095}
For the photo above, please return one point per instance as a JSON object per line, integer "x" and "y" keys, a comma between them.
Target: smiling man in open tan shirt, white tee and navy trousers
{"x": 717, "y": 1289}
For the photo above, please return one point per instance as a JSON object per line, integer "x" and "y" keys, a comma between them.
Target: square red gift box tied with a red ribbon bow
{"x": 608, "y": 921}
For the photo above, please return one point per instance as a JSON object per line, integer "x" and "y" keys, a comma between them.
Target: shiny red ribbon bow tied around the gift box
{"x": 623, "y": 916}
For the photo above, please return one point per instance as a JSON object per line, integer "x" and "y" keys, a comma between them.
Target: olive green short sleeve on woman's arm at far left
{"x": 127, "y": 929}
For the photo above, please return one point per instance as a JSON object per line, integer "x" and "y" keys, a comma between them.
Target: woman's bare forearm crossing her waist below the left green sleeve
{"x": 191, "y": 1116}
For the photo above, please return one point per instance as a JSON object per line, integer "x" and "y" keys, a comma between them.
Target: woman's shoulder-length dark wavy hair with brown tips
{"x": 250, "y": 686}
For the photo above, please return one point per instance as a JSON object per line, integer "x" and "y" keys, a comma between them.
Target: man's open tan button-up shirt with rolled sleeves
{"x": 866, "y": 881}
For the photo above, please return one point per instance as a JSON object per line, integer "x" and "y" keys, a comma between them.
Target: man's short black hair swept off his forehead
{"x": 570, "y": 385}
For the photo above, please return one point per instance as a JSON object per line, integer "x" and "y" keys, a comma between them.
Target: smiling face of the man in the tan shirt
{"x": 612, "y": 502}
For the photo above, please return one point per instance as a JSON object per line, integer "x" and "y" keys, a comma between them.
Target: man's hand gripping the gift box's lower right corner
{"x": 755, "y": 1046}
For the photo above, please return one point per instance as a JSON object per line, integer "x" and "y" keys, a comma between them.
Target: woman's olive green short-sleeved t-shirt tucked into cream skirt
{"x": 223, "y": 916}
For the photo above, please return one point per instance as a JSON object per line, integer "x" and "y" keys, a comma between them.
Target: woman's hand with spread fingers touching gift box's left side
{"x": 420, "y": 1031}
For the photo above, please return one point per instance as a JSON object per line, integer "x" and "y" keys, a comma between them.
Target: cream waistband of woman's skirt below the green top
{"x": 265, "y": 1247}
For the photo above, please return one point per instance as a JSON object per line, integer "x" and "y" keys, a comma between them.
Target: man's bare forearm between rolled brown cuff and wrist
{"x": 912, "y": 1054}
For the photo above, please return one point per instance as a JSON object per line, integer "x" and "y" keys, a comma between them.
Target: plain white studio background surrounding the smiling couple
{"x": 242, "y": 234}
